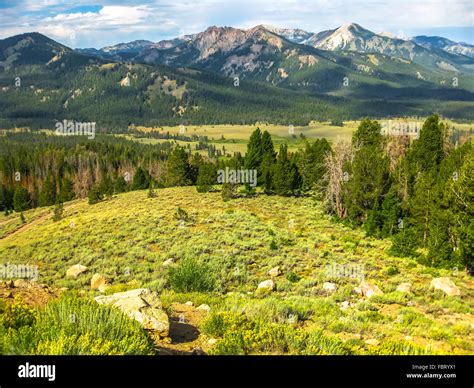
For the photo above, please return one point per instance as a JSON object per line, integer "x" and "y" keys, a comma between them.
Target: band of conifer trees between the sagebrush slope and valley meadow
{"x": 418, "y": 192}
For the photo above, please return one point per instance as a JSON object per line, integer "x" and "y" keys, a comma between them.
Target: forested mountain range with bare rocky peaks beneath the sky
{"x": 226, "y": 74}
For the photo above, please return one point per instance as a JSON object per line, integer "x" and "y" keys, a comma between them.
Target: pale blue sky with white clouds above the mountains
{"x": 84, "y": 23}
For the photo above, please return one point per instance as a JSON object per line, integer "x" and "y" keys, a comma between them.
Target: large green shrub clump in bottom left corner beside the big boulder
{"x": 74, "y": 326}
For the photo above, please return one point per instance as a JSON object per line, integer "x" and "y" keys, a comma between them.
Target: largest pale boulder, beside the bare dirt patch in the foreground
{"x": 142, "y": 305}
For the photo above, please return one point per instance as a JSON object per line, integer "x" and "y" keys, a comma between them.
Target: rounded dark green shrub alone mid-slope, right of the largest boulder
{"x": 190, "y": 275}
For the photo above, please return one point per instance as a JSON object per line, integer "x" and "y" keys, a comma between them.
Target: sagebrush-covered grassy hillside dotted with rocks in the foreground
{"x": 235, "y": 244}
